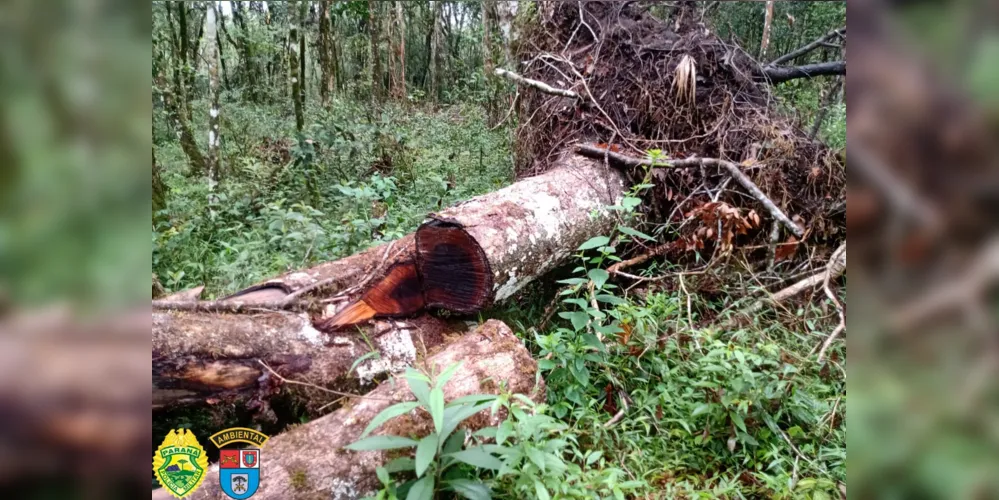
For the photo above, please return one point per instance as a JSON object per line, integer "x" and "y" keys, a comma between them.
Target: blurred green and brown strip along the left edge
{"x": 75, "y": 116}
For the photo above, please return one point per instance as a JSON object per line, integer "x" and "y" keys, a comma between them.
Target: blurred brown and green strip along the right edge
{"x": 922, "y": 129}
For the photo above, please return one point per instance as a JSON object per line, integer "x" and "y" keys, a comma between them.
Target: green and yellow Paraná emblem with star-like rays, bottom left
{"x": 180, "y": 463}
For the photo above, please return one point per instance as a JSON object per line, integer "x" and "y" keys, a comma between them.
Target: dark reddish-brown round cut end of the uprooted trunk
{"x": 453, "y": 267}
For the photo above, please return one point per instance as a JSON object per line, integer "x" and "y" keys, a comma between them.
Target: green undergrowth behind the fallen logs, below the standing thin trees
{"x": 352, "y": 180}
